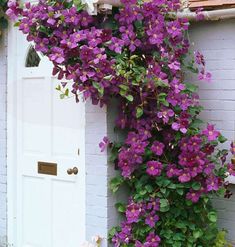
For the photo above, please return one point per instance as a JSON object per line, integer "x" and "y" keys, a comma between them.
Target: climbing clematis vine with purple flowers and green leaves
{"x": 140, "y": 55}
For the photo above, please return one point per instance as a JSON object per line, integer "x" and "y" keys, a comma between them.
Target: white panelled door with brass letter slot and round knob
{"x": 50, "y": 209}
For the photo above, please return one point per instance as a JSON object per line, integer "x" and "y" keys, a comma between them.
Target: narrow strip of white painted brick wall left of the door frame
{"x": 3, "y": 180}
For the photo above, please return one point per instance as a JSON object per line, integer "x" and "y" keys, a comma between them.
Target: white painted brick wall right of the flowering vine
{"x": 216, "y": 40}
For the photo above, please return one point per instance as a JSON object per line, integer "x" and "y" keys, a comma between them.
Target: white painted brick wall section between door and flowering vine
{"x": 101, "y": 214}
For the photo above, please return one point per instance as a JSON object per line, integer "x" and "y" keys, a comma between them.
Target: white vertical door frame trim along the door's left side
{"x": 11, "y": 127}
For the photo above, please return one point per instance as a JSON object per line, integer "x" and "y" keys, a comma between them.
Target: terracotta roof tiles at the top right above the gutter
{"x": 211, "y": 4}
